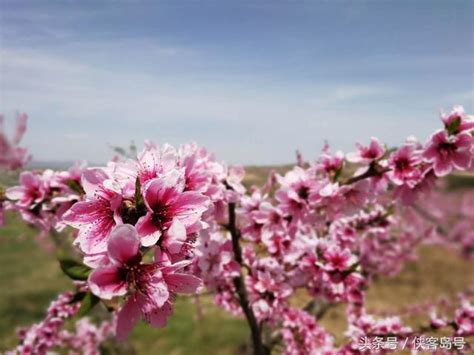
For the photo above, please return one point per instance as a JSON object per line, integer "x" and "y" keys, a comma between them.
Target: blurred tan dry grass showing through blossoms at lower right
{"x": 438, "y": 273}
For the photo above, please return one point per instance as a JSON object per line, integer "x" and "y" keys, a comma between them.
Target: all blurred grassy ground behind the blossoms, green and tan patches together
{"x": 30, "y": 279}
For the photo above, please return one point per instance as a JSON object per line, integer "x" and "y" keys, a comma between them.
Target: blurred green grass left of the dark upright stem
{"x": 30, "y": 279}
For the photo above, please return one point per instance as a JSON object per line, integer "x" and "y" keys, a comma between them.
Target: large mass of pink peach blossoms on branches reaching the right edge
{"x": 176, "y": 221}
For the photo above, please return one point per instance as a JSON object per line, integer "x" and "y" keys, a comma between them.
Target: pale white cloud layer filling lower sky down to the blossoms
{"x": 78, "y": 102}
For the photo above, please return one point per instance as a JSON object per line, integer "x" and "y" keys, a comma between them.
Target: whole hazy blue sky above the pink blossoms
{"x": 252, "y": 81}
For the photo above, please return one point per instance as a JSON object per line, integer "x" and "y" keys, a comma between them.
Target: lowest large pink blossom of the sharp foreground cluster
{"x": 148, "y": 286}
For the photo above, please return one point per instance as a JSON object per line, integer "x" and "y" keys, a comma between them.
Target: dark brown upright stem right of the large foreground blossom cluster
{"x": 239, "y": 283}
